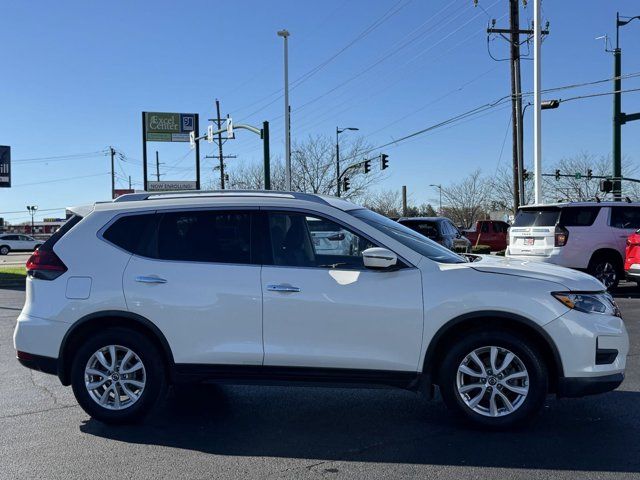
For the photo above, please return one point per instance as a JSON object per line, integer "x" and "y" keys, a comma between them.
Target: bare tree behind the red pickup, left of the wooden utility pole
{"x": 466, "y": 200}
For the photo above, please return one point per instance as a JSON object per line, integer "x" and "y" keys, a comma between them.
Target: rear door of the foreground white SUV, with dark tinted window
{"x": 199, "y": 282}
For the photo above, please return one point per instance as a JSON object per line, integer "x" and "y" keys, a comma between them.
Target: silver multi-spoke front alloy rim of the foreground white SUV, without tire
{"x": 492, "y": 381}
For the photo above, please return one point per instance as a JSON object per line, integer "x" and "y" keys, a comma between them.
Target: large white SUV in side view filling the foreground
{"x": 149, "y": 290}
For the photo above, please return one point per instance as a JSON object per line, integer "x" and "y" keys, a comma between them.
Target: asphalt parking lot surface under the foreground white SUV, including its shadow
{"x": 272, "y": 432}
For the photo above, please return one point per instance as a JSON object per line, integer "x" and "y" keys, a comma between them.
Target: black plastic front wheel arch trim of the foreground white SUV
{"x": 487, "y": 319}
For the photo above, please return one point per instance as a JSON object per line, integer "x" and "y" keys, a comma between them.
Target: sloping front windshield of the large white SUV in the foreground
{"x": 408, "y": 237}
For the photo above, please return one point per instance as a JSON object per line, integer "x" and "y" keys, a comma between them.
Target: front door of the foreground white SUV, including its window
{"x": 328, "y": 310}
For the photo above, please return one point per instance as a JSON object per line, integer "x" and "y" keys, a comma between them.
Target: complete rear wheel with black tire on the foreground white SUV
{"x": 134, "y": 401}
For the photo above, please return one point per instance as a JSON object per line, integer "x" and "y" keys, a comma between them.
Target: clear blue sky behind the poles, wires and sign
{"x": 77, "y": 75}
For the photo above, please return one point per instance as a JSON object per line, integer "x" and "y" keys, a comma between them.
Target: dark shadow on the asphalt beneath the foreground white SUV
{"x": 597, "y": 433}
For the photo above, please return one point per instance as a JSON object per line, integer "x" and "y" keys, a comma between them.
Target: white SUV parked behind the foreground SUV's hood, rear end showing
{"x": 588, "y": 236}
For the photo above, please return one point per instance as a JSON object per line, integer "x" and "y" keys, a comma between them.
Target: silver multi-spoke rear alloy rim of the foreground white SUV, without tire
{"x": 115, "y": 377}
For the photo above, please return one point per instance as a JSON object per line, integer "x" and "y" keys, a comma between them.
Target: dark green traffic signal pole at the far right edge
{"x": 619, "y": 118}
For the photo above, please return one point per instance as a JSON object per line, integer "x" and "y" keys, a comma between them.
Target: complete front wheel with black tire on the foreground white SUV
{"x": 527, "y": 359}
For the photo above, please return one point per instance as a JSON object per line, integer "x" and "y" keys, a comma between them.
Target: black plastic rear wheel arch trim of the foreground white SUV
{"x": 105, "y": 319}
